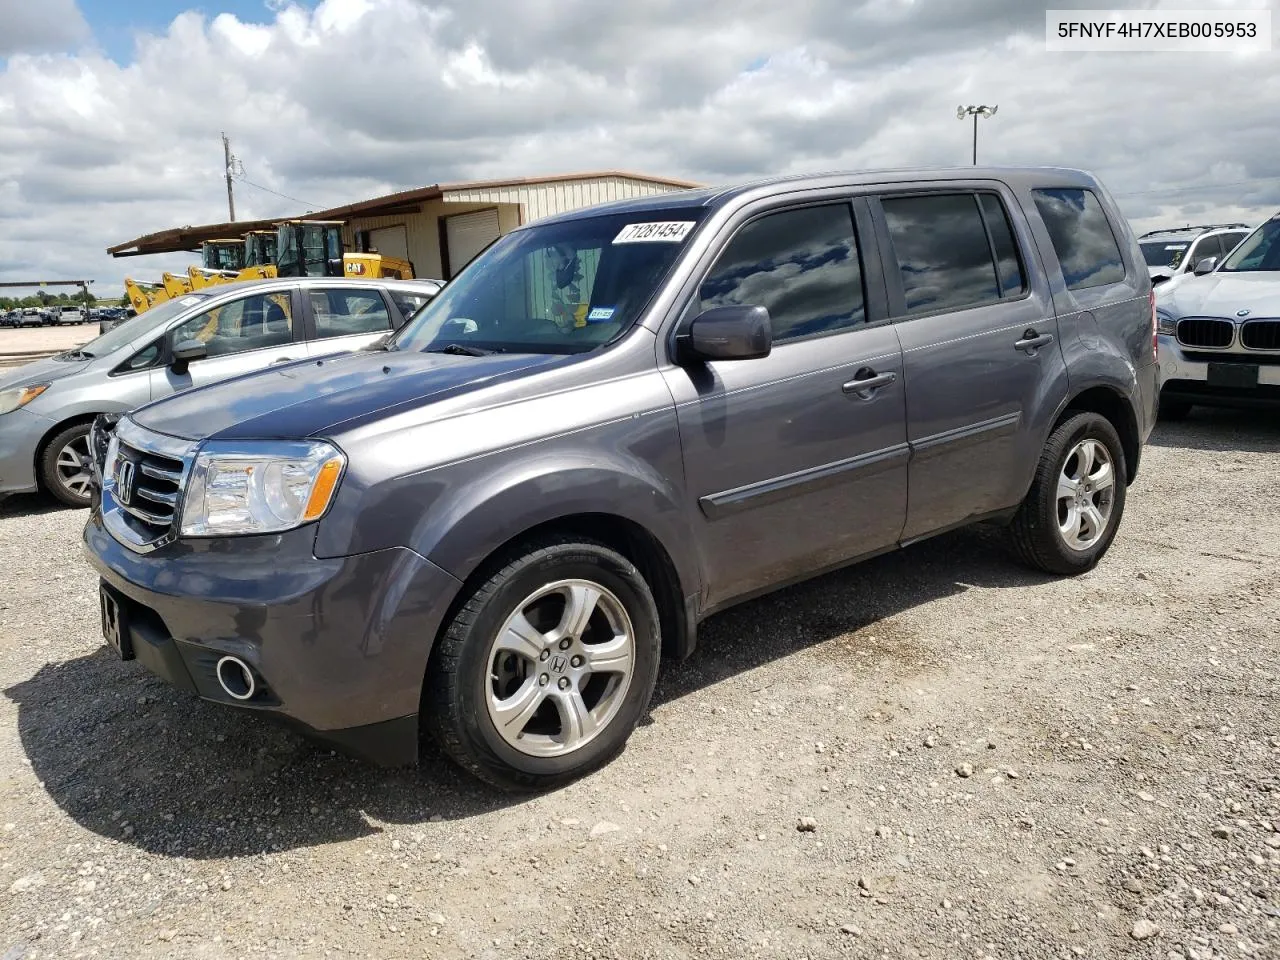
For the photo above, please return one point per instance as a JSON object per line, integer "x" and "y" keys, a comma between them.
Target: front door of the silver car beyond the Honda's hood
{"x": 243, "y": 336}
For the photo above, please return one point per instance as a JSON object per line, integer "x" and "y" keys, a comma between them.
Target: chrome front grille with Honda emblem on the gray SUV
{"x": 143, "y": 487}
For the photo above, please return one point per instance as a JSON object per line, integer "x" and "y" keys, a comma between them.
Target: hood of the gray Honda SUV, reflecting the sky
{"x": 312, "y": 396}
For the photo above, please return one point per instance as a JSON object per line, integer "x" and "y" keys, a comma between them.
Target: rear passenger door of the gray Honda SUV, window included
{"x": 980, "y": 349}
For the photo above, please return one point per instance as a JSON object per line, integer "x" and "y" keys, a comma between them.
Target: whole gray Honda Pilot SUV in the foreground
{"x": 615, "y": 423}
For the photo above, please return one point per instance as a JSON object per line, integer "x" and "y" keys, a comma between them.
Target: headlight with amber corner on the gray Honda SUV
{"x": 259, "y": 488}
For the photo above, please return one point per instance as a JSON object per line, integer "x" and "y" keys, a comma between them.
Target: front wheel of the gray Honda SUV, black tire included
{"x": 469, "y": 674}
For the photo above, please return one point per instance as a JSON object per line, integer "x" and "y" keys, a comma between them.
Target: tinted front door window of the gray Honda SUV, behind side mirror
{"x": 802, "y": 266}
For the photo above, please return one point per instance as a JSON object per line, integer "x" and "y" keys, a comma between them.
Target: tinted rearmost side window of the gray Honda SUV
{"x": 1082, "y": 237}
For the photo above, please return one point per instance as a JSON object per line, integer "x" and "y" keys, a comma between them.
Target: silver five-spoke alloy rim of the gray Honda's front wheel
{"x": 560, "y": 669}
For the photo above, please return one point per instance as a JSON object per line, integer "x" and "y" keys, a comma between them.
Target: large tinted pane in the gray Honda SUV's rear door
{"x": 943, "y": 252}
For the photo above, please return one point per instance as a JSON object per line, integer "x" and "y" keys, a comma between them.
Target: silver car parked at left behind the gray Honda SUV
{"x": 47, "y": 408}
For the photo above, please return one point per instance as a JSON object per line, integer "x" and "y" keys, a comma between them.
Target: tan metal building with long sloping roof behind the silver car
{"x": 437, "y": 228}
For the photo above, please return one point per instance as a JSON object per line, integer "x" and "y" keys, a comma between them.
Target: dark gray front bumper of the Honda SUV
{"x": 341, "y": 646}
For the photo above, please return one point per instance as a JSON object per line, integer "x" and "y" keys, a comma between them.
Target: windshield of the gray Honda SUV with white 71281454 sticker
{"x": 557, "y": 289}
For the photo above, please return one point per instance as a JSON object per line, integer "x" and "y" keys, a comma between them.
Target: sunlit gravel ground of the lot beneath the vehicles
{"x": 935, "y": 755}
